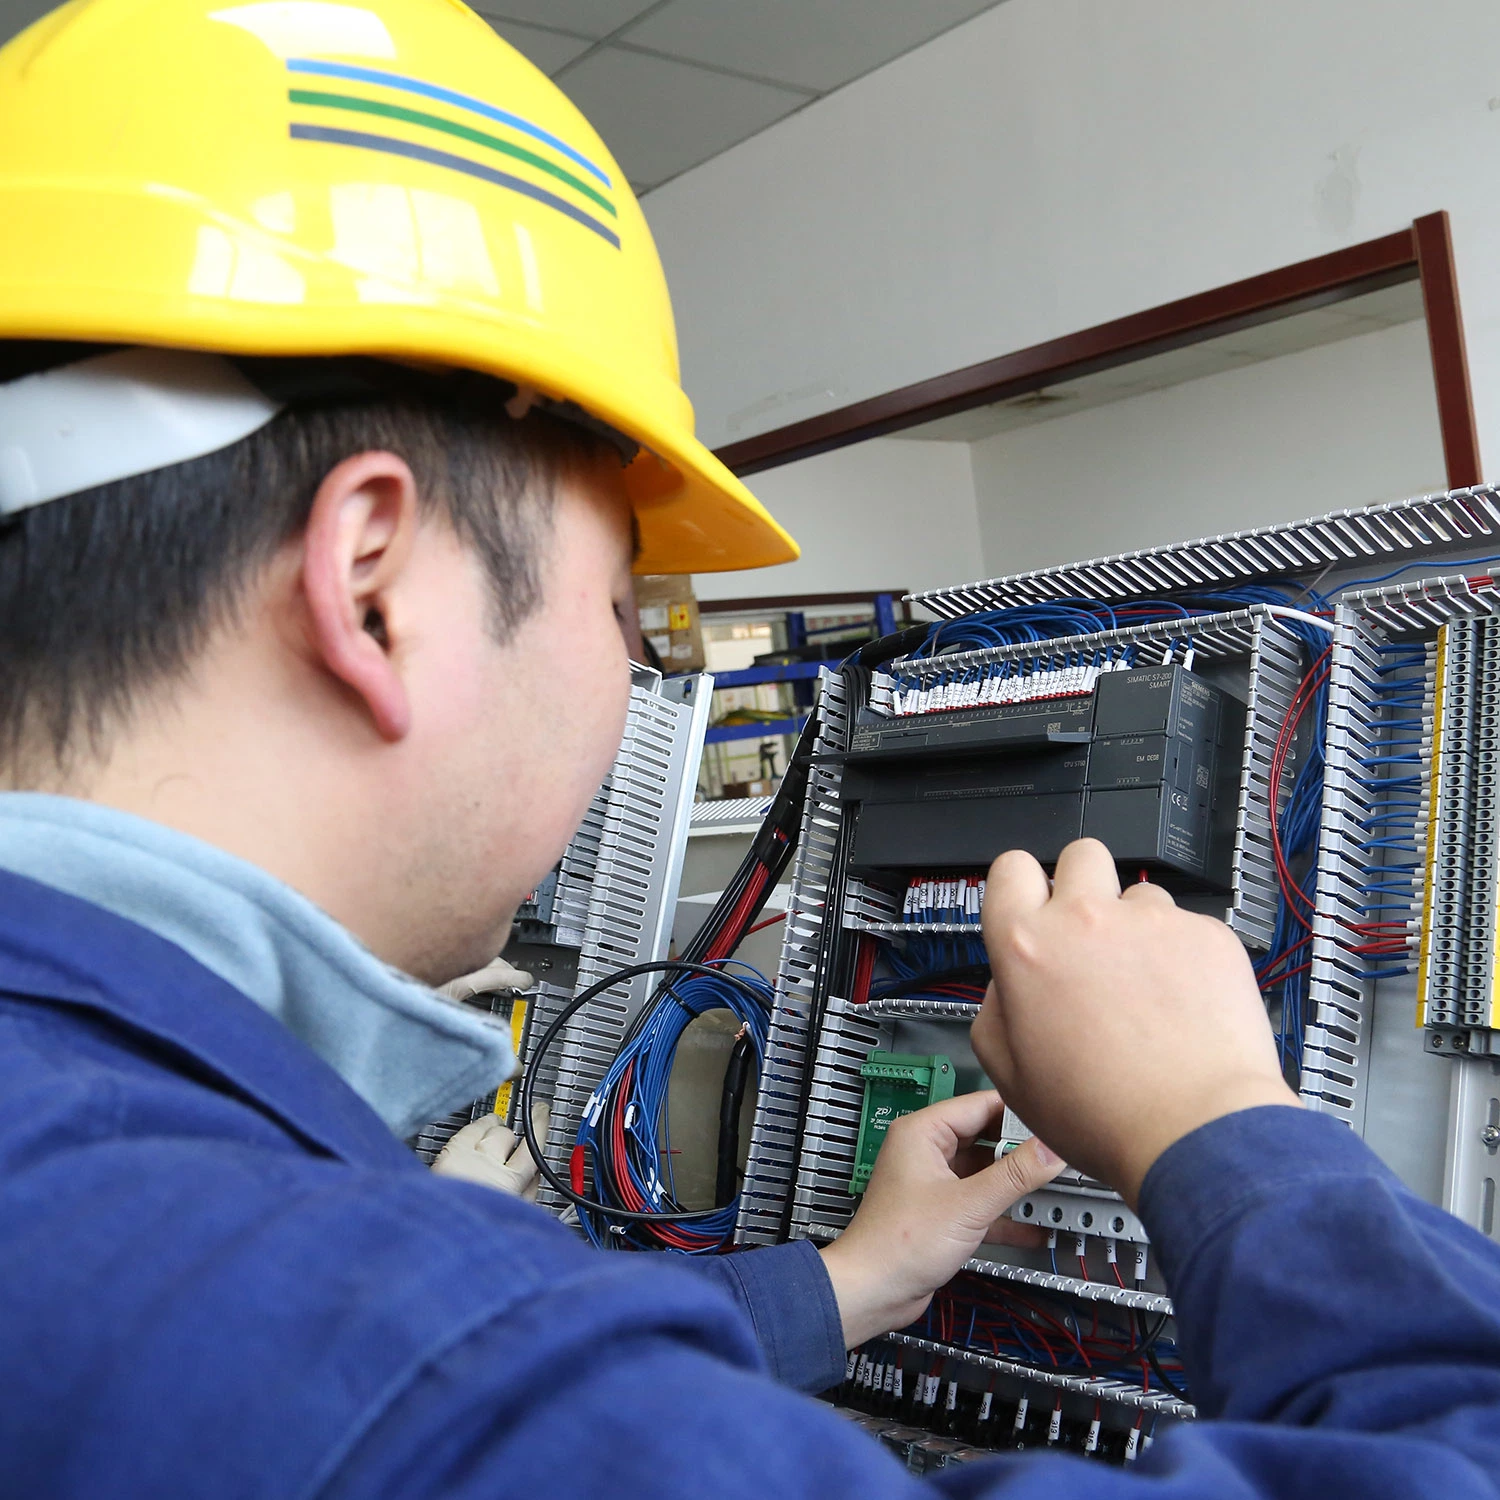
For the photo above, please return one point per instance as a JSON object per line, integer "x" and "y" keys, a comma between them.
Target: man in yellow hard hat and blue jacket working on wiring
{"x": 338, "y": 400}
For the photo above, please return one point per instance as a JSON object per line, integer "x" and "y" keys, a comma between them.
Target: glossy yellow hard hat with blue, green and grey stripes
{"x": 389, "y": 179}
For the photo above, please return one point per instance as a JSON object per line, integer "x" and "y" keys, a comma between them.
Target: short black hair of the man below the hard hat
{"x": 113, "y": 592}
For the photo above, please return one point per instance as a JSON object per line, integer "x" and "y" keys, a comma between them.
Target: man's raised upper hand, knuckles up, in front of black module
{"x": 1117, "y": 1024}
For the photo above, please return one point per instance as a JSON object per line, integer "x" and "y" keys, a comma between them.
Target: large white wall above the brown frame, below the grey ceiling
{"x": 1054, "y": 164}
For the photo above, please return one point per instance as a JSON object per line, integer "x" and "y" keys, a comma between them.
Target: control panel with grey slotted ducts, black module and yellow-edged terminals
{"x": 1306, "y": 755}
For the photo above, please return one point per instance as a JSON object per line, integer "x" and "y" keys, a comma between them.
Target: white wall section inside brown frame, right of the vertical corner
{"x": 1346, "y": 424}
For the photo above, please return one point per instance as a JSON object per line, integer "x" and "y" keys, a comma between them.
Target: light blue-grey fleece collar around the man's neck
{"x": 407, "y": 1051}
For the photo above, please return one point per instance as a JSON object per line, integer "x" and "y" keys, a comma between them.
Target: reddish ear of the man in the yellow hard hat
{"x": 359, "y": 541}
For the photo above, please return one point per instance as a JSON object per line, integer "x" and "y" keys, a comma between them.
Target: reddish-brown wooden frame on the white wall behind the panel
{"x": 1423, "y": 253}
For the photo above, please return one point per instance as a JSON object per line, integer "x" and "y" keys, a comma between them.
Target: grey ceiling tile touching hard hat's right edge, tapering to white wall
{"x": 661, "y": 118}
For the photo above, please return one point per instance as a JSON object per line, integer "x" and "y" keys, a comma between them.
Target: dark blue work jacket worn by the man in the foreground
{"x": 223, "y": 1276}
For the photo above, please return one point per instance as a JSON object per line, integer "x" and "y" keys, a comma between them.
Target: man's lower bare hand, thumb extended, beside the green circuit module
{"x": 932, "y": 1201}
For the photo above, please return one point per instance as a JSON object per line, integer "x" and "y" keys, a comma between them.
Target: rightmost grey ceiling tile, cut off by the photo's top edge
{"x": 814, "y": 44}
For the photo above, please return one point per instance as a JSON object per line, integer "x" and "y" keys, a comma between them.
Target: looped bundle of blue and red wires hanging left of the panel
{"x": 625, "y": 1138}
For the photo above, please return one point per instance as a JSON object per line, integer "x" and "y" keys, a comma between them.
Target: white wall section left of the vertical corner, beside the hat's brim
{"x": 886, "y": 514}
